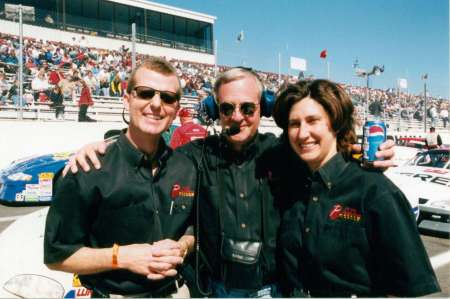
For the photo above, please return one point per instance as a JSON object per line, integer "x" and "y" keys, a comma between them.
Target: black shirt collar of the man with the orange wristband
{"x": 137, "y": 158}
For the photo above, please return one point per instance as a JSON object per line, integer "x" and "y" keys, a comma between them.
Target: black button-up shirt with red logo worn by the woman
{"x": 353, "y": 234}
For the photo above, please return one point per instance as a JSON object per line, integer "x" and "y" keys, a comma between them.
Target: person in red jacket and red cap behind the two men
{"x": 188, "y": 130}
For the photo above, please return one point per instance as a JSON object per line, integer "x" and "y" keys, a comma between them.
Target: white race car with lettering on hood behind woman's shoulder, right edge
{"x": 426, "y": 179}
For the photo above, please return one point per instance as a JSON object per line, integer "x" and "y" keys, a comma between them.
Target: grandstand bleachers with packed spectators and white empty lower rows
{"x": 197, "y": 80}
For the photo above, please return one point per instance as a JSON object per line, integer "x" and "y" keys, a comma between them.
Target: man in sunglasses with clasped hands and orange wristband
{"x": 116, "y": 227}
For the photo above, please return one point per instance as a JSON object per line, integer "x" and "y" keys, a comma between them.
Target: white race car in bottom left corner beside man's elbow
{"x": 23, "y": 274}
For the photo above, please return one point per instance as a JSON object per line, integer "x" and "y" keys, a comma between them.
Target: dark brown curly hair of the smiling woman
{"x": 331, "y": 97}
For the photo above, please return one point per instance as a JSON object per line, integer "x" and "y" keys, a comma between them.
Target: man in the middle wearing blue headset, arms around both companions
{"x": 238, "y": 218}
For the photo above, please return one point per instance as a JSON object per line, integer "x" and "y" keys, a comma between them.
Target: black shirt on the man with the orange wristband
{"x": 120, "y": 203}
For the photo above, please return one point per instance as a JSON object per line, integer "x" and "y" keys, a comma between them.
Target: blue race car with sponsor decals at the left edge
{"x": 29, "y": 181}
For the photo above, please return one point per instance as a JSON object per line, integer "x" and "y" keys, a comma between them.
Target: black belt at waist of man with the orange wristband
{"x": 163, "y": 292}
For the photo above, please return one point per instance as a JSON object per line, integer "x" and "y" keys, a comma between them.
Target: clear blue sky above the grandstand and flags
{"x": 410, "y": 37}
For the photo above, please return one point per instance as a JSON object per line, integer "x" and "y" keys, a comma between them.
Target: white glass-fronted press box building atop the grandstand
{"x": 161, "y": 30}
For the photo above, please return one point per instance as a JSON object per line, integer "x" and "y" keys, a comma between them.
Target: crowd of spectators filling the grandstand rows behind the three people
{"x": 105, "y": 72}
